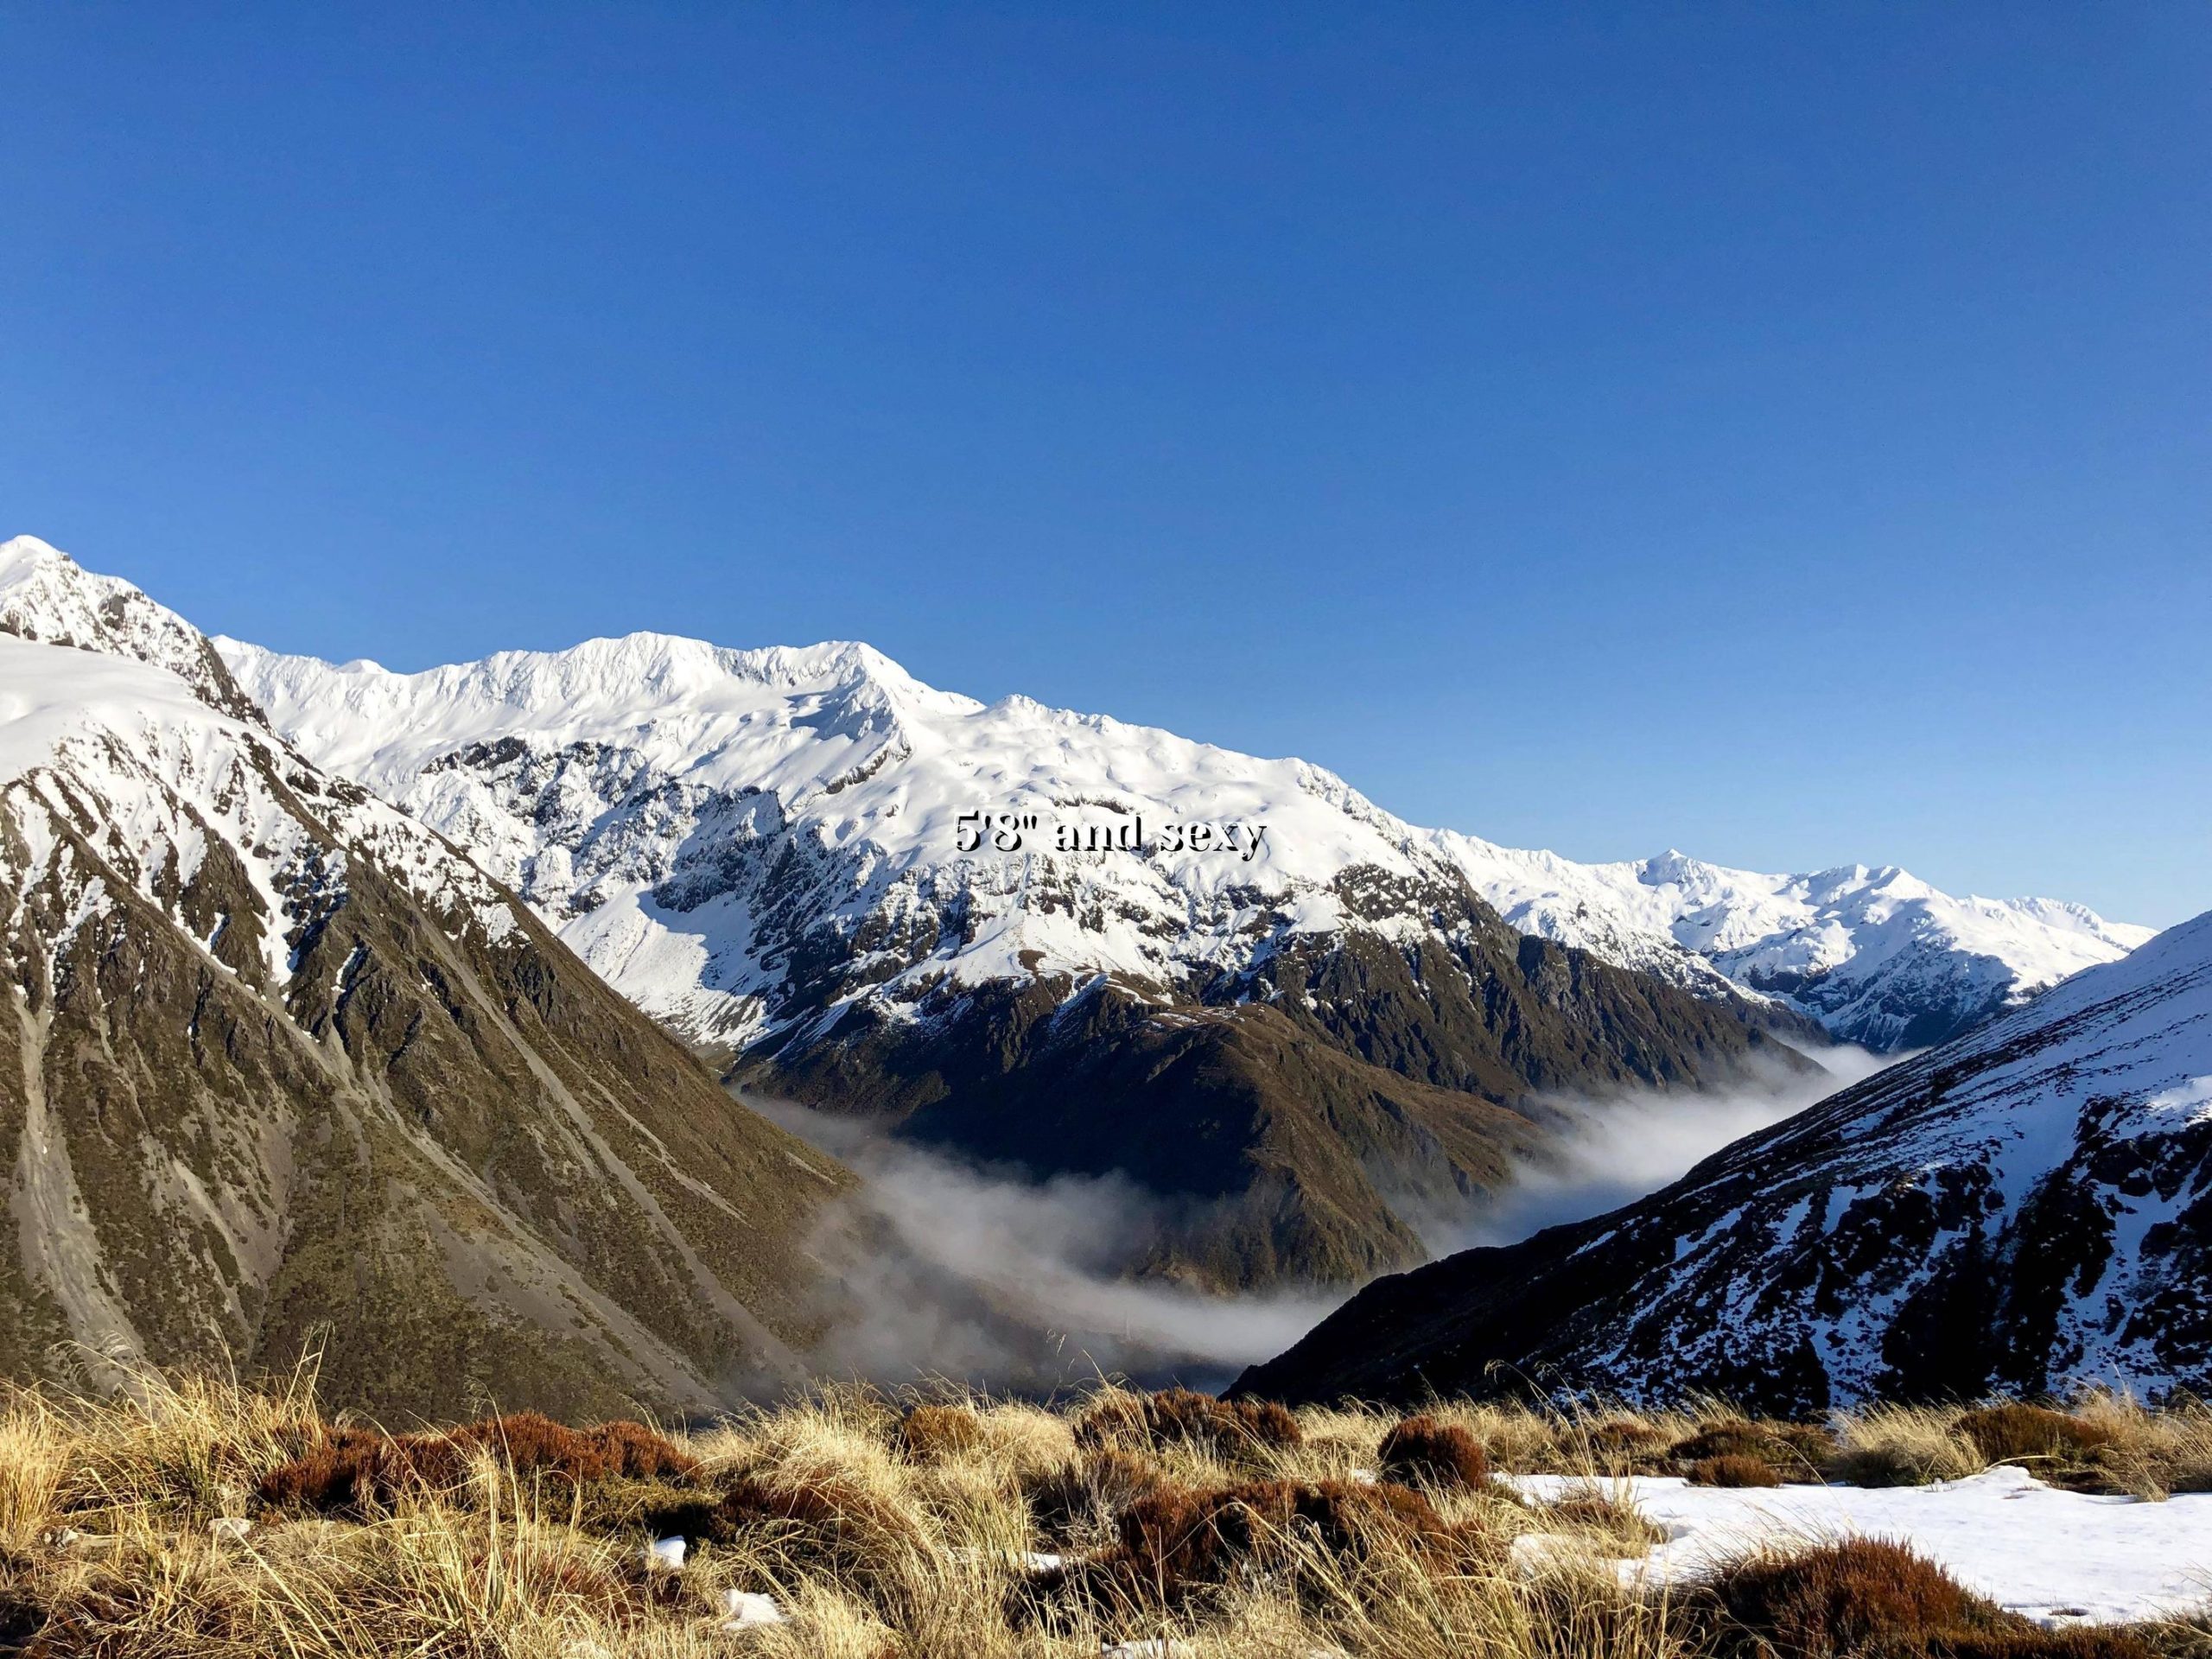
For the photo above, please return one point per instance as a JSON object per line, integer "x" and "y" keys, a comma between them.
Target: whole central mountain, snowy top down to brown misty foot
{"x": 1229, "y": 979}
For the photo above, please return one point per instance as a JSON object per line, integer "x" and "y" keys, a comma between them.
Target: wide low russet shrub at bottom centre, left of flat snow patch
{"x": 1178, "y": 1541}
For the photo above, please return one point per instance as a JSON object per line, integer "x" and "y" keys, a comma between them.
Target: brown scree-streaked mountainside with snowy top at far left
{"x": 282, "y": 1070}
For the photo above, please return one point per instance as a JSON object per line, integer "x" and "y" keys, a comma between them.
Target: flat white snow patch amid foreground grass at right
{"x": 2054, "y": 1556}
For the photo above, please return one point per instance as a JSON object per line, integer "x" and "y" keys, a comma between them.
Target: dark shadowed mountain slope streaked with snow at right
{"x": 2021, "y": 1209}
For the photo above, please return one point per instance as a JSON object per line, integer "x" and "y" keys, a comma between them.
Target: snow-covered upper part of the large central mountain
{"x": 651, "y": 793}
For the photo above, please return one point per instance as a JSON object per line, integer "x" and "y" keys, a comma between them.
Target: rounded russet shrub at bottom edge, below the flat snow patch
{"x": 1848, "y": 1598}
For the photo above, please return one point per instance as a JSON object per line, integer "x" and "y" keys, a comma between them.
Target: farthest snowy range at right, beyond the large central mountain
{"x": 1877, "y": 957}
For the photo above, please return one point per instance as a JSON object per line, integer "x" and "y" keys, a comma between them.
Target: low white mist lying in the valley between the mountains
{"x": 992, "y": 1277}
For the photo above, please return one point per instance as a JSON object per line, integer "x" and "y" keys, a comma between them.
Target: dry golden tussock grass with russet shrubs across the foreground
{"x": 924, "y": 1525}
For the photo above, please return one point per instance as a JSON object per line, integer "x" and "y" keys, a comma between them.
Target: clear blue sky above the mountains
{"x": 1782, "y": 432}
